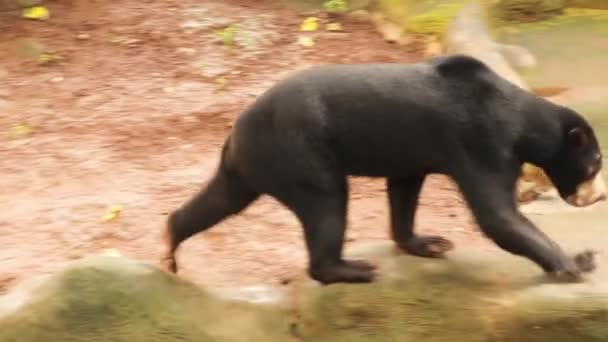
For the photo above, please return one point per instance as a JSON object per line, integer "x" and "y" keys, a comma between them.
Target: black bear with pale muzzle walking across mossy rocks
{"x": 449, "y": 115}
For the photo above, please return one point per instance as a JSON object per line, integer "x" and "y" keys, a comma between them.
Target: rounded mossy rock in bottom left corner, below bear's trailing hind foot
{"x": 117, "y": 299}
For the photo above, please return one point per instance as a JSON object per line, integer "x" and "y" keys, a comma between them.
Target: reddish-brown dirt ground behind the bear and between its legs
{"x": 135, "y": 114}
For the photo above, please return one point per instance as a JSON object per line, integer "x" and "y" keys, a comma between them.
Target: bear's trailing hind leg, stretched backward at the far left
{"x": 226, "y": 194}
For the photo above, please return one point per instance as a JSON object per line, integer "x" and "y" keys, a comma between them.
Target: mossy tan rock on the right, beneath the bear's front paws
{"x": 474, "y": 295}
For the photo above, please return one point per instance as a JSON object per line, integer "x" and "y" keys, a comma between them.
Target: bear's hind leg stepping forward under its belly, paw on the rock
{"x": 322, "y": 214}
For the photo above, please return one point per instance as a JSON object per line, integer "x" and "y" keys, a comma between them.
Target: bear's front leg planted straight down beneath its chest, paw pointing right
{"x": 403, "y": 199}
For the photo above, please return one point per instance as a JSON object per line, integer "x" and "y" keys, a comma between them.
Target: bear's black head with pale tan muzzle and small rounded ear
{"x": 575, "y": 168}
